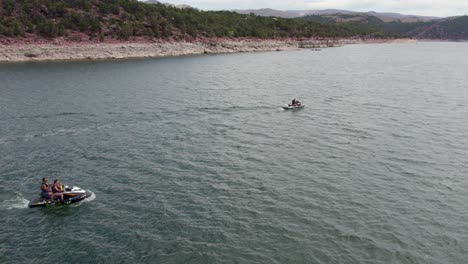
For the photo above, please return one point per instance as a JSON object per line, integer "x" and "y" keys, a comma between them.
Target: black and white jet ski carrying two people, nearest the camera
{"x": 71, "y": 195}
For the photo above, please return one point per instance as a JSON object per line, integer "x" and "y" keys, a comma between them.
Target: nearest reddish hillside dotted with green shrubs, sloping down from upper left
{"x": 102, "y": 20}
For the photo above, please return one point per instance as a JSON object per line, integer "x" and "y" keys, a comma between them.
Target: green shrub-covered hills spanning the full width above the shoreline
{"x": 123, "y": 19}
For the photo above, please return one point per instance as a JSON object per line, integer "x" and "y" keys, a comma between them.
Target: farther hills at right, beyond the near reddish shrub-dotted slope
{"x": 387, "y": 25}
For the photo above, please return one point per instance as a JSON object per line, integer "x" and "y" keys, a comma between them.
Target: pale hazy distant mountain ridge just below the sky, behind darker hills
{"x": 386, "y": 17}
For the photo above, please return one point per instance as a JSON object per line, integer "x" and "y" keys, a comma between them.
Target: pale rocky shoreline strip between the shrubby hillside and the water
{"x": 77, "y": 51}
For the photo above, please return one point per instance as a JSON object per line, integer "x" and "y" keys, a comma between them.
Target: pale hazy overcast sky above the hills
{"x": 411, "y": 7}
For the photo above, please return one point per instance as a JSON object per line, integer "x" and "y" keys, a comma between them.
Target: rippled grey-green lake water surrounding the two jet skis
{"x": 192, "y": 159}
